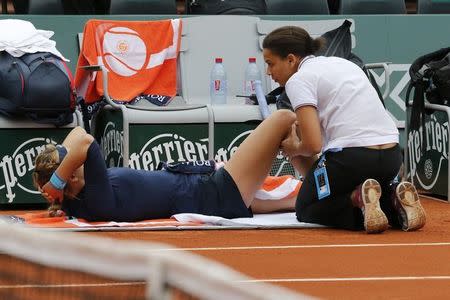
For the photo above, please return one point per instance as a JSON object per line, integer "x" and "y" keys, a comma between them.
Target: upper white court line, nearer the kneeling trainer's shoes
{"x": 308, "y": 246}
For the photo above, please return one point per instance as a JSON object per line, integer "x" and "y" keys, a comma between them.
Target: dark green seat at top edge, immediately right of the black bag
{"x": 297, "y": 7}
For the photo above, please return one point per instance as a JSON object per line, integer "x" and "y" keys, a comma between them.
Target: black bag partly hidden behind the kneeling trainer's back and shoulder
{"x": 338, "y": 43}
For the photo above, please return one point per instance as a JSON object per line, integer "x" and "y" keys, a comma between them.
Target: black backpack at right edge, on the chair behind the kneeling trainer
{"x": 430, "y": 78}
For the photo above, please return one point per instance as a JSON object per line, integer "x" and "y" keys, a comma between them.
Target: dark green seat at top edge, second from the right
{"x": 366, "y": 7}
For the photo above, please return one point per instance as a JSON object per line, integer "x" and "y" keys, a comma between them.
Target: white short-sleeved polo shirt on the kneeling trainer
{"x": 350, "y": 112}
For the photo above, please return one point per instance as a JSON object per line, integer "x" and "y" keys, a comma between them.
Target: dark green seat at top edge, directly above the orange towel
{"x": 143, "y": 7}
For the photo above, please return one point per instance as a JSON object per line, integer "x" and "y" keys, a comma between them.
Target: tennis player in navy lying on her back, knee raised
{"x": 74, "y": 176}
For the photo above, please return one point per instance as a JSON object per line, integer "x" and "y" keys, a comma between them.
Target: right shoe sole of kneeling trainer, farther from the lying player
{"x": 406, "y": 201}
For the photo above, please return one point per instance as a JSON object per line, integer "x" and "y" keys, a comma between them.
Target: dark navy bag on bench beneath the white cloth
{"x": 38, "y": 86}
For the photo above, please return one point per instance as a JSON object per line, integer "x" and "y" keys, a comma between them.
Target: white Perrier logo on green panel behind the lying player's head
{"x": 16, "y": 168}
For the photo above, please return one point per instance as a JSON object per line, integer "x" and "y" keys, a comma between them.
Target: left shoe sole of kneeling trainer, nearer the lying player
{"x": 368, "y": 195}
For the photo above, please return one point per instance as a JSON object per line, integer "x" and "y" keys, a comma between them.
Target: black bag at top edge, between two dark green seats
{"x": 227, "y": 7}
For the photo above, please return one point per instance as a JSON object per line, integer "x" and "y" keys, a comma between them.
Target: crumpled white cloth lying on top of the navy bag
{"x": 18, "y": 37}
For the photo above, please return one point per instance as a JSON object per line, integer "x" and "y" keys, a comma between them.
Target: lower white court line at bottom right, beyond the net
{"x": 388, "y": 278}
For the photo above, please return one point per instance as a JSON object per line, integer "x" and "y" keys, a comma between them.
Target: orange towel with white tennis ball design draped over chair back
{"x": 141, "y": 57}
